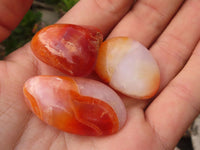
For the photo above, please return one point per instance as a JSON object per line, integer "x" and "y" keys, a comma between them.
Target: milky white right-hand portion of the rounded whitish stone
{"x": 136, "y": 73}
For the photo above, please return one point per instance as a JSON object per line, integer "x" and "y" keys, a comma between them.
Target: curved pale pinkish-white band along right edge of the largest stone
{"x": 100, "y": 91}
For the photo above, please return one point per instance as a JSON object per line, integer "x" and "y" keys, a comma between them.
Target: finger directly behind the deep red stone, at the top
{"x": 103, "y": 14}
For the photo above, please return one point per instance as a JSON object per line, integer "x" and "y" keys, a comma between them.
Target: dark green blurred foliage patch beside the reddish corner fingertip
{"x": 23, "y": 33}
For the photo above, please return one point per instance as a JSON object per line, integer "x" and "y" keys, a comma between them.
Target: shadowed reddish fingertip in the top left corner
{"x": 11, "y": 13}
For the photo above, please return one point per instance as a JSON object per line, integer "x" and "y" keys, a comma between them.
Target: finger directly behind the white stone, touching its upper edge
{"x": 147, "y": 20}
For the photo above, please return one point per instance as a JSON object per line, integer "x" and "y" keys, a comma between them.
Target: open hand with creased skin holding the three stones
{"x": 170, "y": 29}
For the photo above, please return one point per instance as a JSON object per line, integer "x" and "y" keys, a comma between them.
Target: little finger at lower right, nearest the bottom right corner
{"x": 178, "y": 105}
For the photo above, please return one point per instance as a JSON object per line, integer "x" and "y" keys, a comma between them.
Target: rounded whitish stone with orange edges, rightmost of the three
{"x": 128, "y": 67}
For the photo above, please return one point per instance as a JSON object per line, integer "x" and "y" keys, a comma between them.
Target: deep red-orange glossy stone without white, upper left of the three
{"x": 70, "y": 48}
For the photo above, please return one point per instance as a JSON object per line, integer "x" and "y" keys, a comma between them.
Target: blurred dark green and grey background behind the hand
{"x": 46, "y": 12}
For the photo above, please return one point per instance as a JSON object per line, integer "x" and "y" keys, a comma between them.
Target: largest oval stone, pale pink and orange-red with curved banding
{"x": 75, "y": 105}
